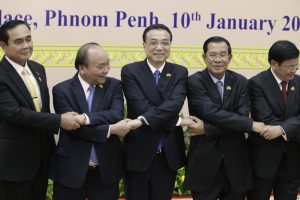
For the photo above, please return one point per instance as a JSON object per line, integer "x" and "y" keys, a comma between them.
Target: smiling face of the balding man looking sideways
{"x": 96, "y": 70}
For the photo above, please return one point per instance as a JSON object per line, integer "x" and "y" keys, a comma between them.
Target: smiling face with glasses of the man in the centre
{"x": 157, "y": 46}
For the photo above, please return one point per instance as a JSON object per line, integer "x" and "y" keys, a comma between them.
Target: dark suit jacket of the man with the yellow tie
{"x": 26, "y": 136}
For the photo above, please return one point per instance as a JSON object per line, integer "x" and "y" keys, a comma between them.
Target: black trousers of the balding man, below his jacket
{"x": 92, "y": 189}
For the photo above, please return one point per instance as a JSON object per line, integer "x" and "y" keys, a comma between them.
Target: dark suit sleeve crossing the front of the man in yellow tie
{"x": 14, "y": 112}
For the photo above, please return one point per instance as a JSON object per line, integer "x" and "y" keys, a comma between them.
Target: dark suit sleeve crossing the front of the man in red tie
{"x": 262, "y": 111}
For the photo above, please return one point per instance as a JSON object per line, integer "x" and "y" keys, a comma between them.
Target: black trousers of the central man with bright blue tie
{"x": 156, "y": 183}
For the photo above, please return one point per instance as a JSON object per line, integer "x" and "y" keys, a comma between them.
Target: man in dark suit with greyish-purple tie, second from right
{"x": 218, "y": 161}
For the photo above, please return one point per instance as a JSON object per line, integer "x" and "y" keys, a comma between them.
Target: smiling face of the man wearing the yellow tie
{"x": 19, "y": 46}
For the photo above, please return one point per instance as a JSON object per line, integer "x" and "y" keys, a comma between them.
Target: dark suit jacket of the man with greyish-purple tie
{"x": 225, "y": 124}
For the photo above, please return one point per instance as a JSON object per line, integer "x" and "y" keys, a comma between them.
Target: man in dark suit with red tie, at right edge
{"x": 275, "y": 100}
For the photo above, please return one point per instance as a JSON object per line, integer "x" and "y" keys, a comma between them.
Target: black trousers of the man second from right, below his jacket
{"x": 220, "y": 189}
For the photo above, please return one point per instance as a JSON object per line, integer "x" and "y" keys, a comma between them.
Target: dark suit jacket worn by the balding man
{"x": 71, "y": 160}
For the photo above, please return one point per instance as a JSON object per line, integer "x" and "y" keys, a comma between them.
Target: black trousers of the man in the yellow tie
{"x": 27, "y": 190}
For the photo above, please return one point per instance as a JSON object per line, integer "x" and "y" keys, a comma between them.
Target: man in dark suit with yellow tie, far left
{"x": 26, "y": 126}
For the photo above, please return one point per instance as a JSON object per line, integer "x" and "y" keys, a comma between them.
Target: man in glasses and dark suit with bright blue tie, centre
{"x": 155, "y": 91}
